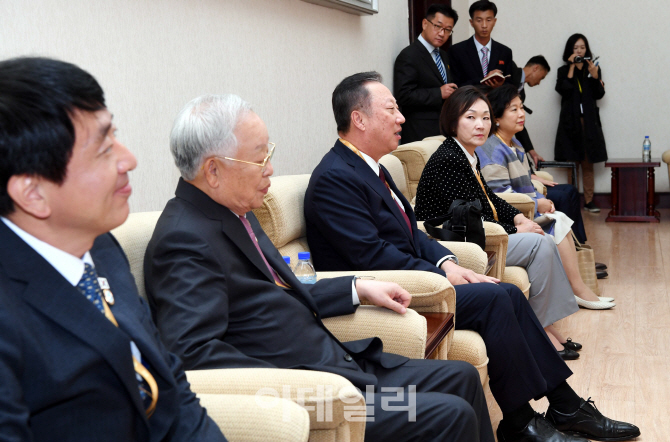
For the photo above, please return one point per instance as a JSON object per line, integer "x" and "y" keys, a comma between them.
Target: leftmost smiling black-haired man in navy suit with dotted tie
{"x": 75, "y": 366}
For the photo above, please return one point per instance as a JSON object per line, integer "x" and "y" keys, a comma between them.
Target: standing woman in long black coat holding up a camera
{"x": 579, "y": 137}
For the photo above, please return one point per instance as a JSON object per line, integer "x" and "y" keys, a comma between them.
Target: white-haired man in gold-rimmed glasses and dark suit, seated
{"x": 223, "y": 297}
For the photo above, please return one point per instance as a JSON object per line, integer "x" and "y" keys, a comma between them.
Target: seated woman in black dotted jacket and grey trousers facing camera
{"x": 452, "y": 172}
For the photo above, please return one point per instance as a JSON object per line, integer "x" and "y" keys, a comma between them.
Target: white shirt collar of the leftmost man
{"x": 69, "y": 266}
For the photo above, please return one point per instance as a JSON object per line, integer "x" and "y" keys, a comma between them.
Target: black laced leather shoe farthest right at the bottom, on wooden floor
{"x": 587, "y": 421}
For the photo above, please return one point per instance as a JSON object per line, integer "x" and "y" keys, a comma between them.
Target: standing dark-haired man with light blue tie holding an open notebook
{"x": 477, "y": 57}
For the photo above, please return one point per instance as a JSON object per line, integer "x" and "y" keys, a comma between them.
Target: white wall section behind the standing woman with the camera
{"x": 631, "y": 39}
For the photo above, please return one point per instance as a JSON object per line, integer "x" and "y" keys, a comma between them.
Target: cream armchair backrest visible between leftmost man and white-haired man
{"x": 134, "y": 236}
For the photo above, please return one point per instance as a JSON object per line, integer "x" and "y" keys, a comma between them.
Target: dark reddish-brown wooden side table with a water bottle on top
{"x": 633, "y": 190}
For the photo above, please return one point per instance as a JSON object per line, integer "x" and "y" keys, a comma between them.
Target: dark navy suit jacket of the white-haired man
{"x": 217, "y": 305}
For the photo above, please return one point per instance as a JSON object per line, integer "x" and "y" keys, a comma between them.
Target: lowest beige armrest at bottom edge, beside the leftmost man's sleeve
{"x": 242, "y": 418}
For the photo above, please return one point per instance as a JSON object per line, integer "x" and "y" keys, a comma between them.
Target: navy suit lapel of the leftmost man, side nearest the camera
{"x": 51, "y": 294}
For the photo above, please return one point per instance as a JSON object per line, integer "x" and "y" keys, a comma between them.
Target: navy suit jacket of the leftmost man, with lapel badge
{"x": 66, "y": 370}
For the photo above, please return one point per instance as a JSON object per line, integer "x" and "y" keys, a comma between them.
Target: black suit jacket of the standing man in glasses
{"x": 416, "y": 86}
